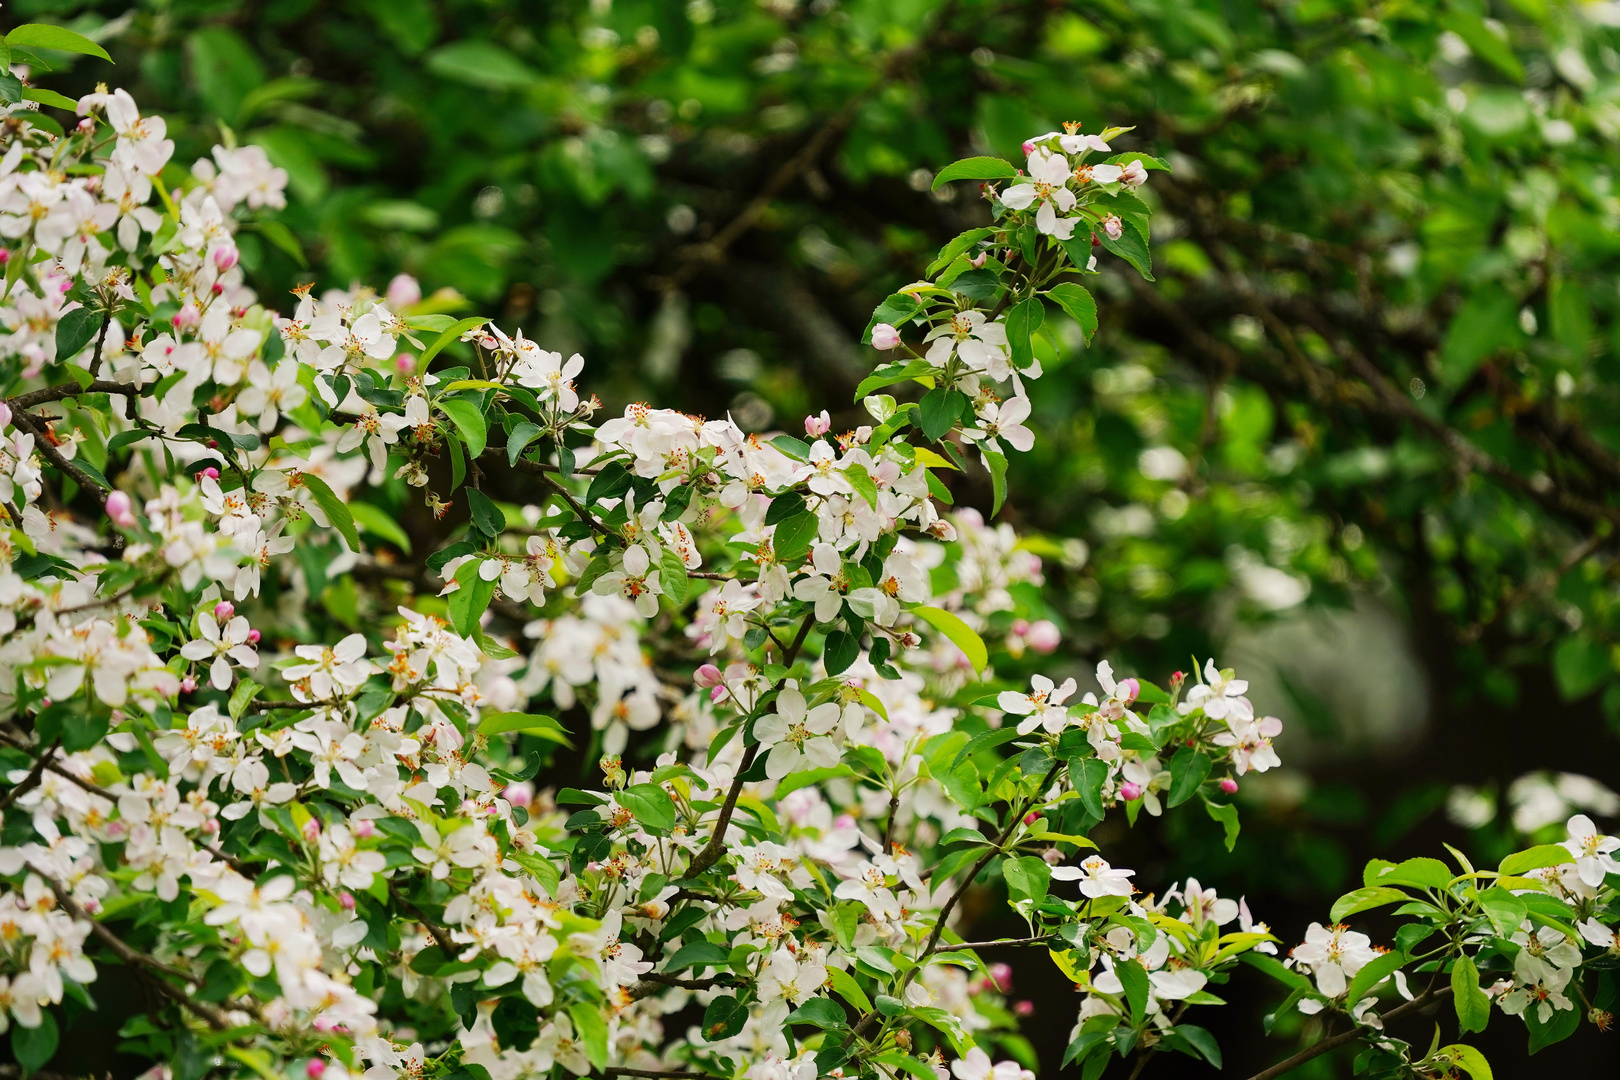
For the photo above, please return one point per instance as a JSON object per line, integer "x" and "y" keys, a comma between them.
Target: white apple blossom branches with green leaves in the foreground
{"x": 328, "y": 854}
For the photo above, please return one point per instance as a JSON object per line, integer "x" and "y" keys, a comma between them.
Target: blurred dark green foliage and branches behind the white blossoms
{"x": 1362, "y": 440}
